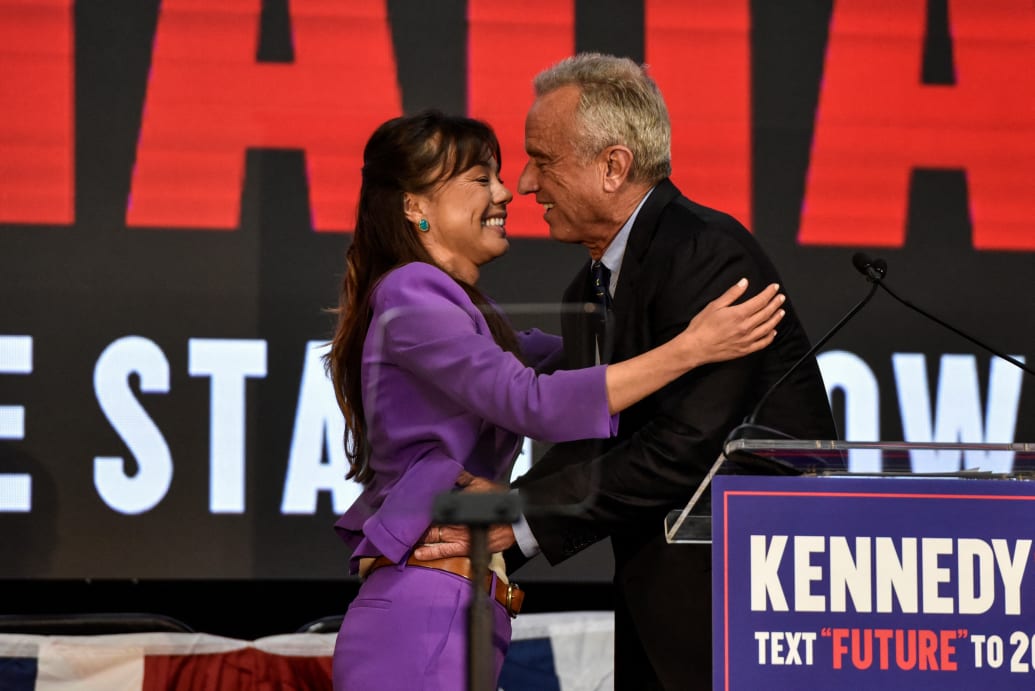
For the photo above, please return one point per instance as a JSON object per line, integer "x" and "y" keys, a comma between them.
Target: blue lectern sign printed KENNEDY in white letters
{"x": 848, "y": 583}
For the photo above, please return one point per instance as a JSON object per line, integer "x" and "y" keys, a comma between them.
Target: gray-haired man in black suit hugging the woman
{"x": 598, "y": 138}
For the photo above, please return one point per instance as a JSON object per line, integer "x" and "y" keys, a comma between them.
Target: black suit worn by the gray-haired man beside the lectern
{"x": 681, "y": 256}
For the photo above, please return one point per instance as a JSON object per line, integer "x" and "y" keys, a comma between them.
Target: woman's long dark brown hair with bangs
{"x": 406, "y": 155}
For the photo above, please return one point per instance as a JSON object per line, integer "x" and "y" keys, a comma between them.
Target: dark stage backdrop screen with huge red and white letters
{"x": 179, "y": 182}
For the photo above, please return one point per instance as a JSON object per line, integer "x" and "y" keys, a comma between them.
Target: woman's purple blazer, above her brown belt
{"x": 440, "y": 397}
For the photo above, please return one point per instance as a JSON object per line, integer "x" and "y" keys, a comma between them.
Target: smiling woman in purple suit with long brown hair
{"x": 435, "y": 385}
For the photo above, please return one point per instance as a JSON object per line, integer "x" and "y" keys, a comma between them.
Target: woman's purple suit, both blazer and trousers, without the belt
{"x": 440, "y": 397}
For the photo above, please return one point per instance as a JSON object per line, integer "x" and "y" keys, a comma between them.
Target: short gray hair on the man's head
{"x": 620, "y": 104}
